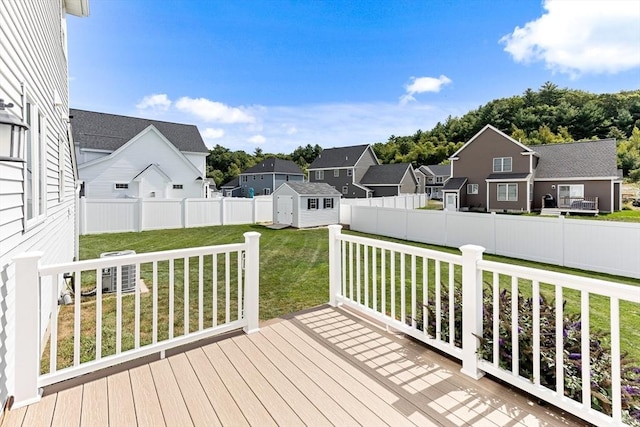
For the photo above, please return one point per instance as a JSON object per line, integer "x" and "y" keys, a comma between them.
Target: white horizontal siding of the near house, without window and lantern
{"x": 33, "y": 54}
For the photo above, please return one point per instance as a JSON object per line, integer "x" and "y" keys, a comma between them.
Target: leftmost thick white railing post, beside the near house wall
{"x": 27, "y": 329}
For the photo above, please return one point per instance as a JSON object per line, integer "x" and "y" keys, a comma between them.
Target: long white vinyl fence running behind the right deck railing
{"x": 606, "y": 246}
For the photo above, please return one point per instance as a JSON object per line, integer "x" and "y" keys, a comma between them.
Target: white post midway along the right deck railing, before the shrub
{"x": 471, "y": 309}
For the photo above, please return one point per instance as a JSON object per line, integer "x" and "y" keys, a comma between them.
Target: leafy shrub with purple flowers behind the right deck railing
{"x": 600, "y": 353}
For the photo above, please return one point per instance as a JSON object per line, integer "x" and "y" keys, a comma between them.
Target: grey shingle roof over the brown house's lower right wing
{"x": 586, "y": 159}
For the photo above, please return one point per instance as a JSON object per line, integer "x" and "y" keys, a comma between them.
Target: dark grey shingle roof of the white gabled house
{"x": 109, "y": 132}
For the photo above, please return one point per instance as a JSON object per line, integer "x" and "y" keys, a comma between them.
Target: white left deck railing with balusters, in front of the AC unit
{"x": 195, "y": 293}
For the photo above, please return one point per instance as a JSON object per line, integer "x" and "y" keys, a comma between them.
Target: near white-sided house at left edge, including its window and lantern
{"x": 37, "y": 165}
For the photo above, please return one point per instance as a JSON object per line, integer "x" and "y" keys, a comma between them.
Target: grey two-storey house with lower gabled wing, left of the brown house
{"x": 356, "y": 173}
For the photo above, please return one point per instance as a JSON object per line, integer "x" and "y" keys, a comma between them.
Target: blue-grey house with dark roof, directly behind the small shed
{"x": 266, "y": 176}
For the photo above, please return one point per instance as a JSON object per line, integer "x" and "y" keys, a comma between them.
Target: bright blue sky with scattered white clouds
{"x": 278, "y": 74}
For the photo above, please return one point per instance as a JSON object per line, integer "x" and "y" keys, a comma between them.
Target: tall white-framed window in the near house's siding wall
{"x": 35, "y": 175}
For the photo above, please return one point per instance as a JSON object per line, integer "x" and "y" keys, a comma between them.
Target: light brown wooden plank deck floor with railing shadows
{"x": 323, "y": 367}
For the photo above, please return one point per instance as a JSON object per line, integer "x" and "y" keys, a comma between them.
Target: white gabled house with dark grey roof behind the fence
{"x": 129, "y": 157}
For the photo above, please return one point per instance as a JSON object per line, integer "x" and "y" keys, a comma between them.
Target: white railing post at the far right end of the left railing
{"x": 252, "y": 281}
